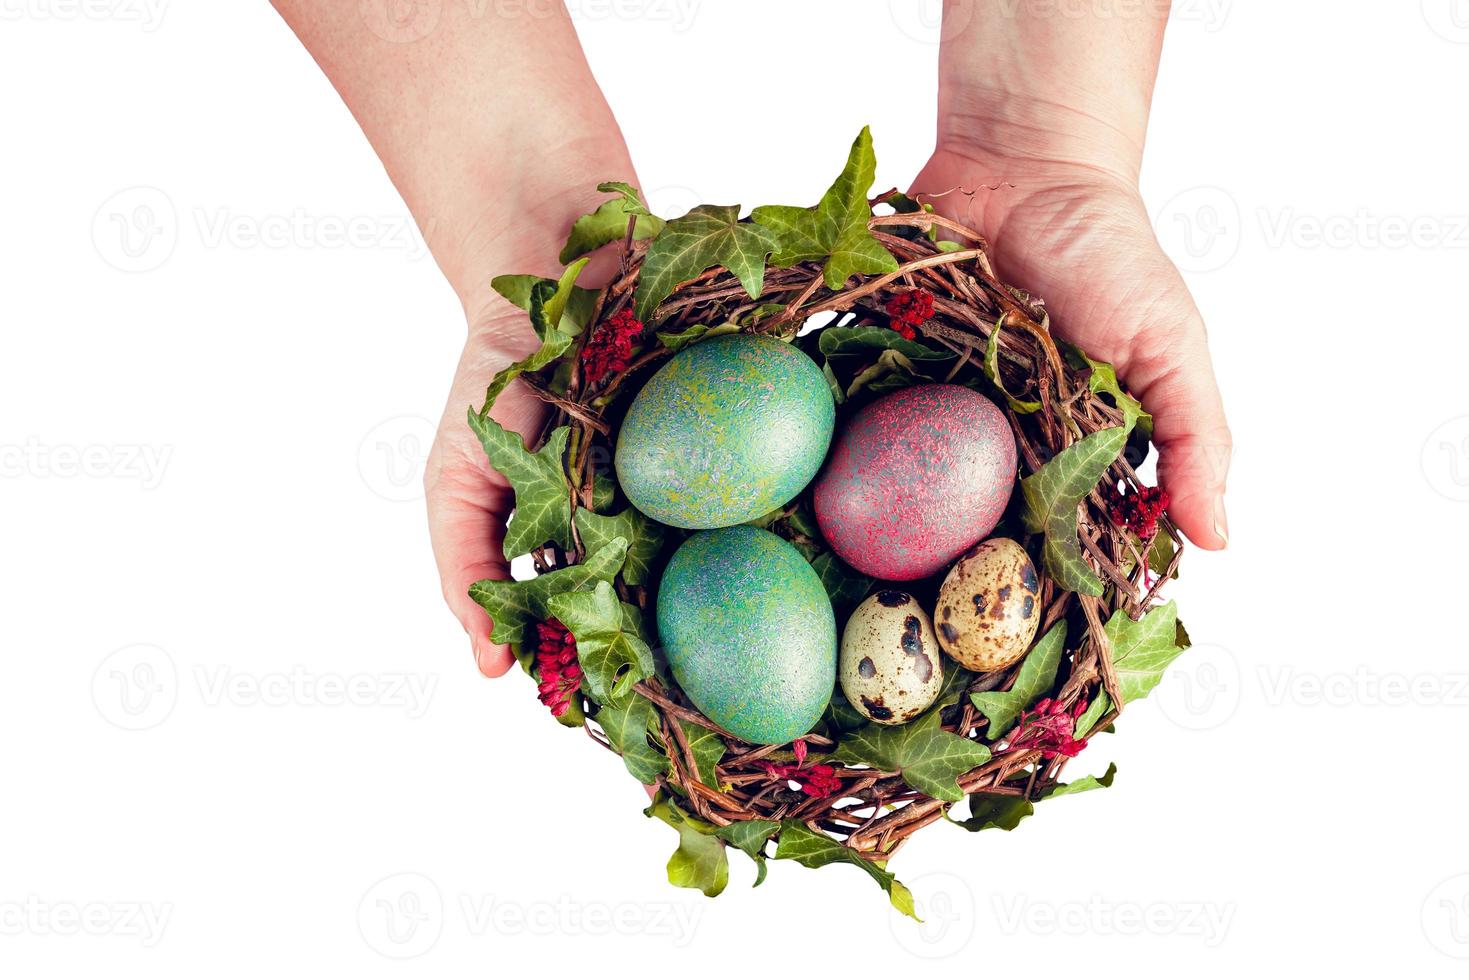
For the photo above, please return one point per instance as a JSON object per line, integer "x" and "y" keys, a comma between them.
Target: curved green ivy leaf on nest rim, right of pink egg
{"x": 1053, "y": 496}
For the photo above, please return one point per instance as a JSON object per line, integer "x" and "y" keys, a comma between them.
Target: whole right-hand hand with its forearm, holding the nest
{"x": 1042, "y": 117}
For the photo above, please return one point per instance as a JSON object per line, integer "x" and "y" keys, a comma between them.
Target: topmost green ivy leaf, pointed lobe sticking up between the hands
{"x": 835, "y": 231}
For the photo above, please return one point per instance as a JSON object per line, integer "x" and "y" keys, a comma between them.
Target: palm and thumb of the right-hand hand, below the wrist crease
{"x": 1080, "y": 239}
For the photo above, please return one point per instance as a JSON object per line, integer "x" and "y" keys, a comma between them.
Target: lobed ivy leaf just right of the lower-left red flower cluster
{"x": 613, "y": 657}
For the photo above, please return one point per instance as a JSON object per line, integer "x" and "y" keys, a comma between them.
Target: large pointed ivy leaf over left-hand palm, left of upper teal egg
{"x": 543, "y": 496}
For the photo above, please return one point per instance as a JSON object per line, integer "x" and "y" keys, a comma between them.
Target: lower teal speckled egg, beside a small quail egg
{"x": 748, "y": 633}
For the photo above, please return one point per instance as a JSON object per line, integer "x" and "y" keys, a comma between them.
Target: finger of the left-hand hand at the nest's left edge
{"x": 466, "y": 530}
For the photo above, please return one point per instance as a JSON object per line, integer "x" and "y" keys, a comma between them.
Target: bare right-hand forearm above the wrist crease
{"x": 1050, "y": 82}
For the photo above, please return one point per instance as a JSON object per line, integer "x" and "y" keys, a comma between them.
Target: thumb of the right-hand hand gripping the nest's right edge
{"x": 1173, "y": 374}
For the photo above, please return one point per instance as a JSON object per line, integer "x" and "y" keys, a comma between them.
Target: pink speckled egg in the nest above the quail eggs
{"x": 916, "y": 480}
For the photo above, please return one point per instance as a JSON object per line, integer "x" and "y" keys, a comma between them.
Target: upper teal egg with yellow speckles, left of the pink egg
{"x": 726, "y": 431}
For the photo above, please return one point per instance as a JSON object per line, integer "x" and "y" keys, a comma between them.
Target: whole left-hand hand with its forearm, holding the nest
{"x": 496, "y": 134}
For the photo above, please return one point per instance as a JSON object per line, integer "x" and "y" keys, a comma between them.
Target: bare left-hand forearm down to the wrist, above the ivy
{"x": 491, "y": 127}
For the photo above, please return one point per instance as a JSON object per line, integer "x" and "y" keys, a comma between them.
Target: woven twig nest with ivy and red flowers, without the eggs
{"x": 1102, "y": 558}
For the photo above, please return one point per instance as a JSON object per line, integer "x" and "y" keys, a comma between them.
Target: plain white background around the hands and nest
{"x": 242, "y": 735}
